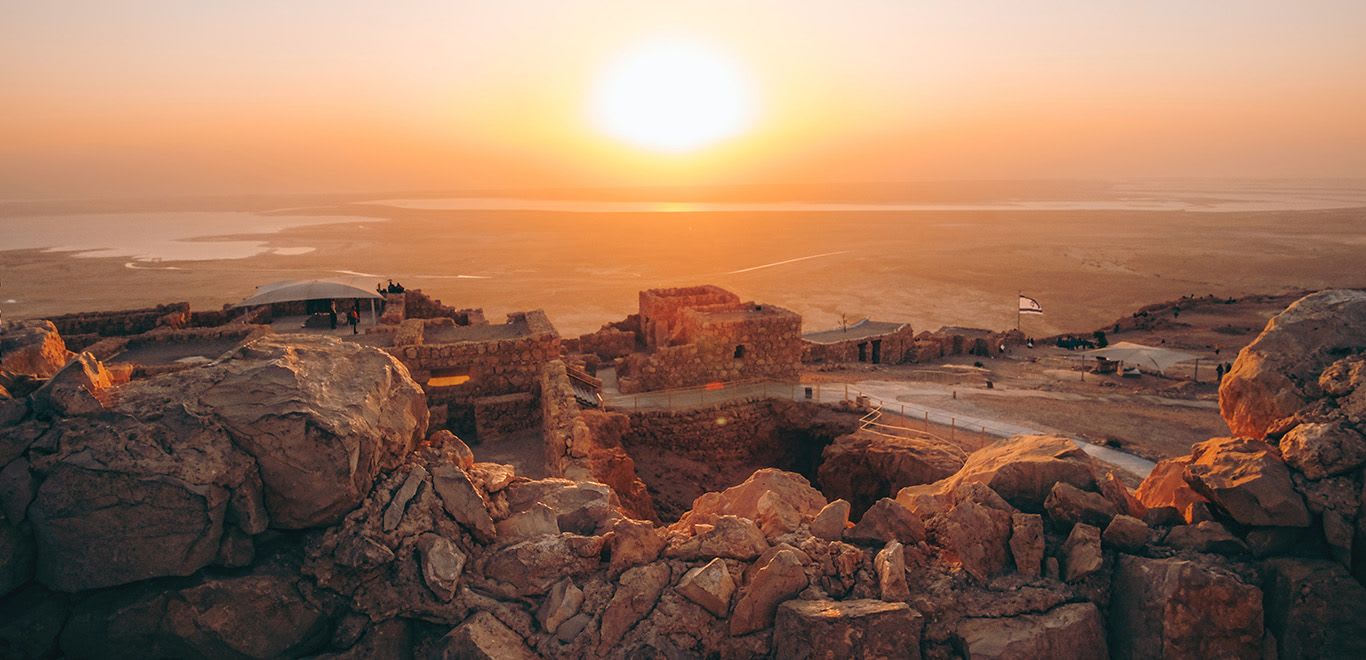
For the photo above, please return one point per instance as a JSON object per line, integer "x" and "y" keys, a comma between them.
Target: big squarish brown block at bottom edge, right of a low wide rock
{"x": 1178, "y": 609}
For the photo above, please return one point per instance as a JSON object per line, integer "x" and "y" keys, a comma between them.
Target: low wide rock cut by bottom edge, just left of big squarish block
{"x": 1072, "y": 632}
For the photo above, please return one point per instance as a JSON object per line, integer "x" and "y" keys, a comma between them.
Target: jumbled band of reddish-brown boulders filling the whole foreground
{"x": 288, "y": 501}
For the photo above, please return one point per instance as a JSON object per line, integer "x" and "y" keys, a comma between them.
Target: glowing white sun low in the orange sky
{"x": 673, "y": 96}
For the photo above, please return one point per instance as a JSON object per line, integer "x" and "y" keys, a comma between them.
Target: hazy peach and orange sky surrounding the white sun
{"x": 197, "y": 96}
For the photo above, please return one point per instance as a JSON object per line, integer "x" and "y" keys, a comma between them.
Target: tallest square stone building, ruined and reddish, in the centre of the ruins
{"x": 706, "y": 334}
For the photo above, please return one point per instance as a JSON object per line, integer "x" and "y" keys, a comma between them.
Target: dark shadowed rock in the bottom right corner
{"x": 1313, "y": 609}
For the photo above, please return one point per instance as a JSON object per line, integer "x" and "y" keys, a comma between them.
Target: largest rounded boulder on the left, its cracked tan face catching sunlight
{"x": 320, "y": 416}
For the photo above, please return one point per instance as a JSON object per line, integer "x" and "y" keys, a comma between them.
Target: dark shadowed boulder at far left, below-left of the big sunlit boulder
{"x": 125, "y": 499}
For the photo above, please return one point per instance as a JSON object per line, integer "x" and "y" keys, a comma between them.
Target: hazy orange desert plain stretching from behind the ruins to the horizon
{"x": 931, "y": 269}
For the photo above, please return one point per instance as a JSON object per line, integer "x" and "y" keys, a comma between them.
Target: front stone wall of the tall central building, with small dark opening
{"x": 726, "y": 342}
